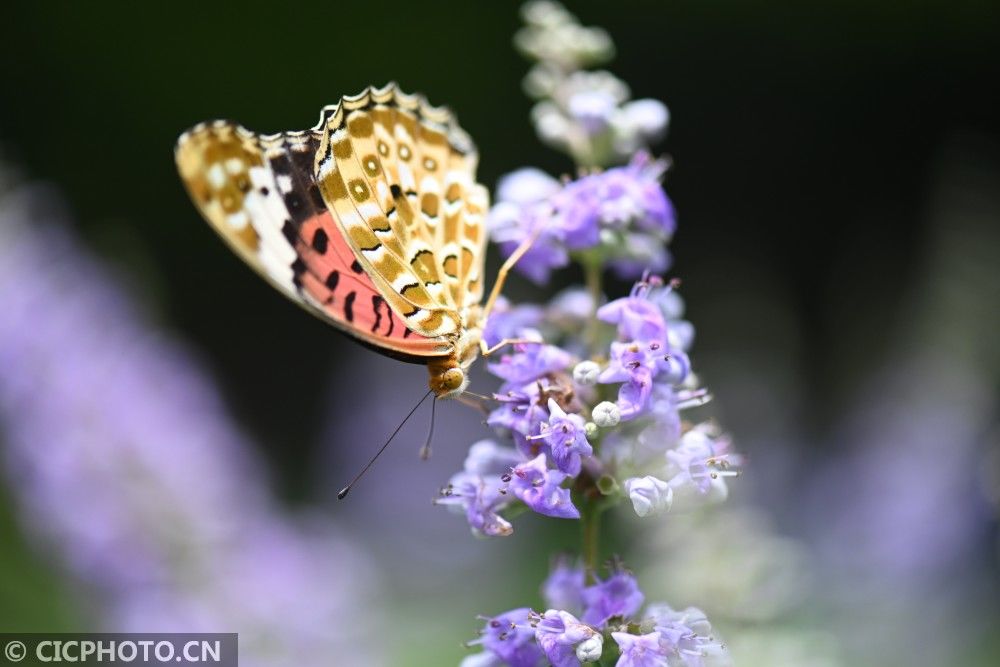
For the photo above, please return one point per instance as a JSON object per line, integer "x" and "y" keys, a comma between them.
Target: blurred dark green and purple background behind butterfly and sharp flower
{"x": 837, "y": 176}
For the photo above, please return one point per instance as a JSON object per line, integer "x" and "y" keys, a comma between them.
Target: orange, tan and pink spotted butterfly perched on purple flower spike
{"x": 372, "y": 220}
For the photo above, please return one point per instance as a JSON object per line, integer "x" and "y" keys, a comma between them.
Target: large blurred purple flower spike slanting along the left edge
{"x": 122, "y": 459}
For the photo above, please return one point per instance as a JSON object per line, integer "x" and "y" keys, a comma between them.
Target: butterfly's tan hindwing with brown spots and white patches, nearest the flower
{"x": 400, "y": 176}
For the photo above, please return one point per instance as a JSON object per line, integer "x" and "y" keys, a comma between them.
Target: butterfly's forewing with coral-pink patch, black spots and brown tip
{"x": 259, "y": 194}
